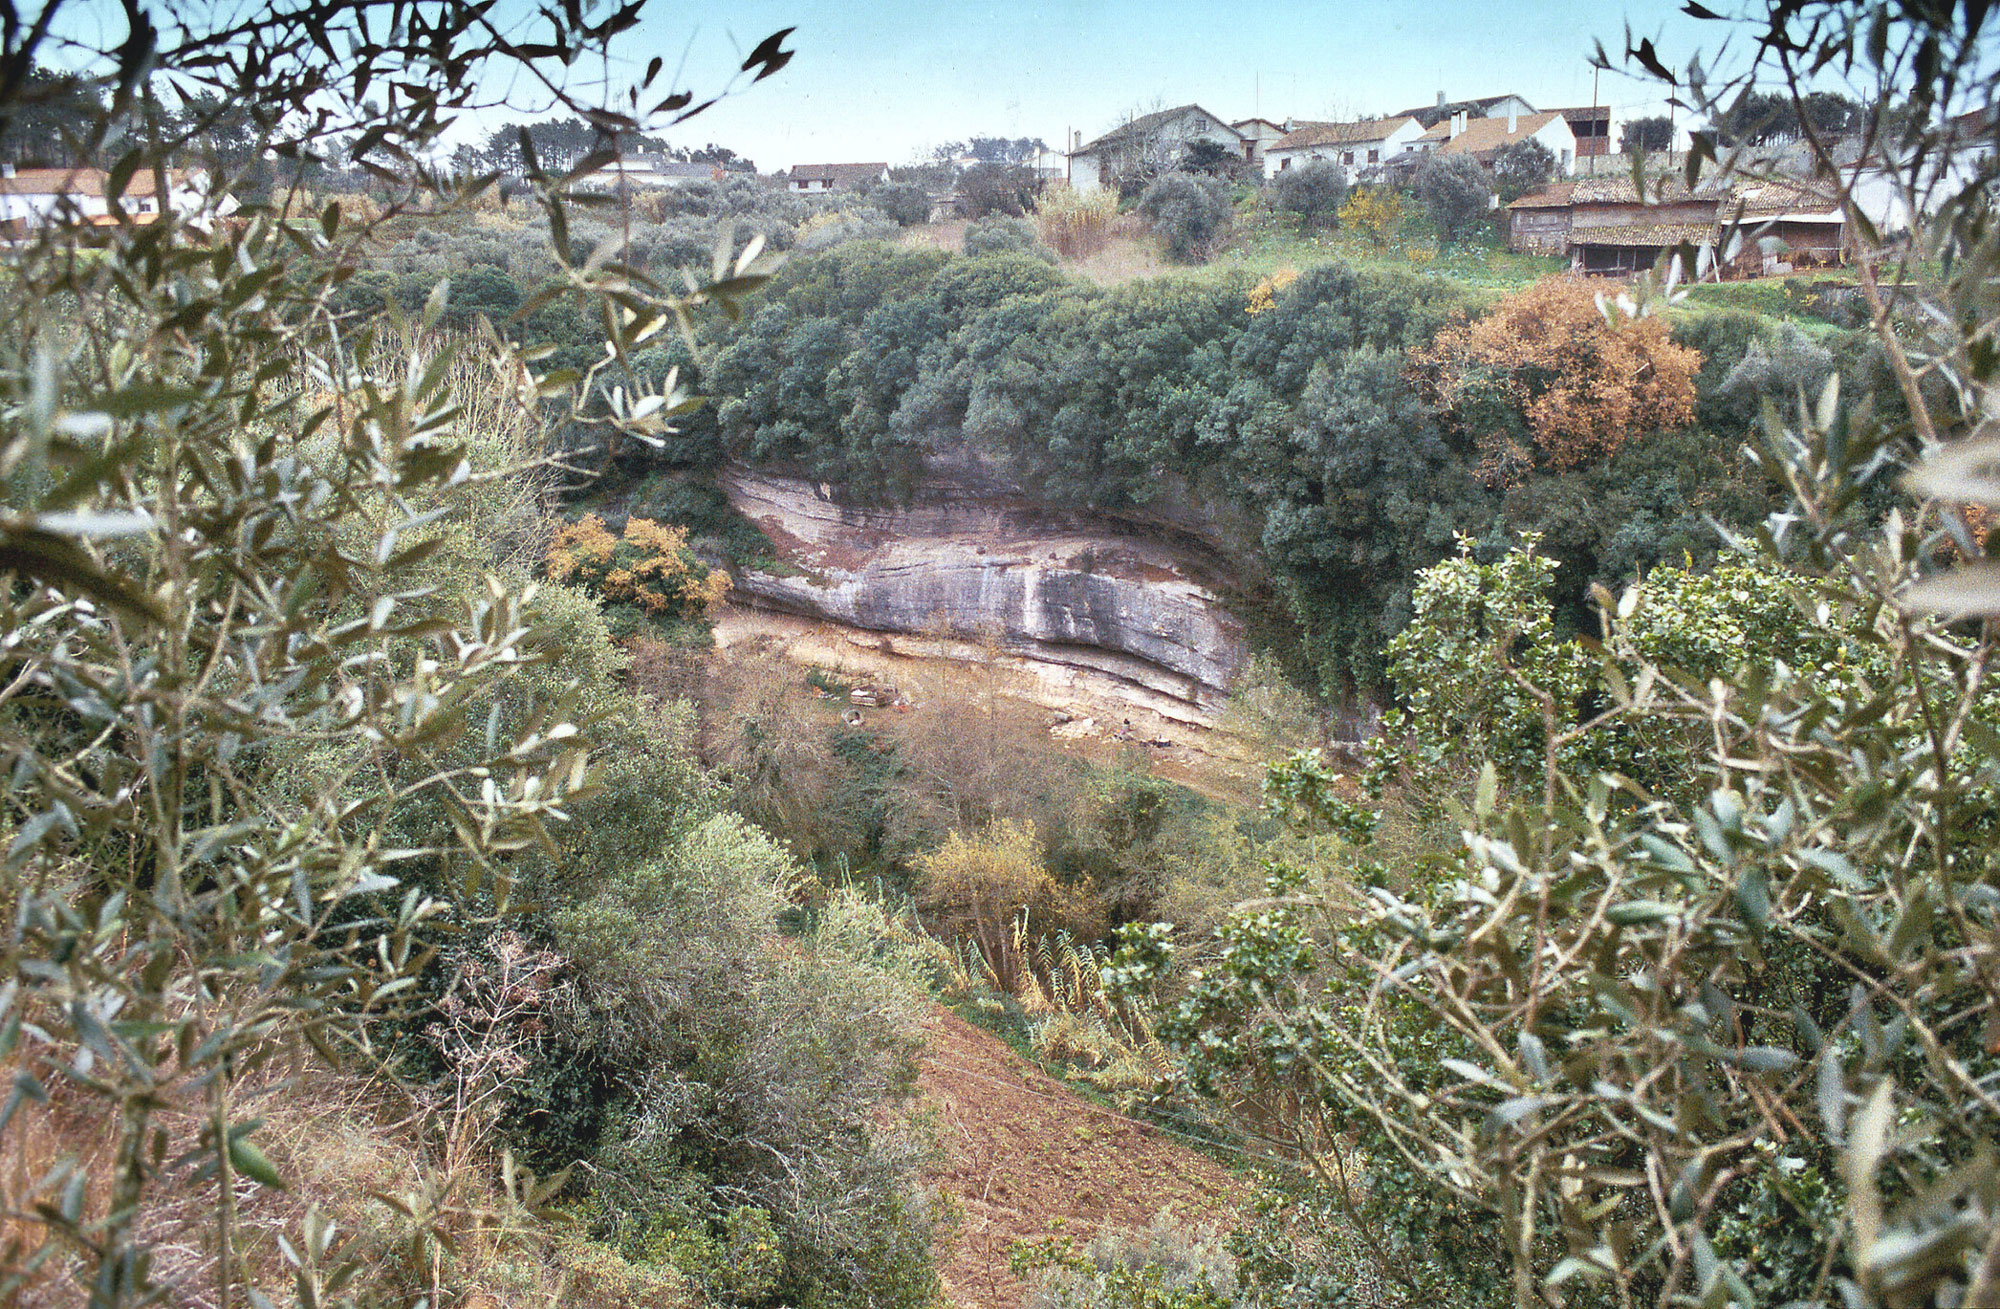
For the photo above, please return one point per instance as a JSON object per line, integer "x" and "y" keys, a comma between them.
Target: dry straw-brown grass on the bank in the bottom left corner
{"x": 361, "y": 1152}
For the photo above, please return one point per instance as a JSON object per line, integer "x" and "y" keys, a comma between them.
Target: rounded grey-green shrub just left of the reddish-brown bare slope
{"x": 697, "y": 1054}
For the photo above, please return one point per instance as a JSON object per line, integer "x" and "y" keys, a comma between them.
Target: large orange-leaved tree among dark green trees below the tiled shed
{"x": 1551, "y": 379}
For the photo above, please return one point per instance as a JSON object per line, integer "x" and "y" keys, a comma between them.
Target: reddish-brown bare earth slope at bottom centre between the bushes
{"x": 1027, "y": 1160}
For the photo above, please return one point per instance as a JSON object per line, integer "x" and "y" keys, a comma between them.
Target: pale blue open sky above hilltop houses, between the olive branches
{"x": 889, "y": 81}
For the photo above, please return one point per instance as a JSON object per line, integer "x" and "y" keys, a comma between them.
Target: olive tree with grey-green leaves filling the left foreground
{"x": 221, "y": 499}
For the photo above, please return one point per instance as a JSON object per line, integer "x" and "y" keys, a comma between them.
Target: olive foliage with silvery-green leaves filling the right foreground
{"x": 1725, "y": 1036}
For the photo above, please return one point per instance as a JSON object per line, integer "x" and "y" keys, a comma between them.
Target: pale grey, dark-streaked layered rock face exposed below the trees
{"x": 971, "y": 561}
